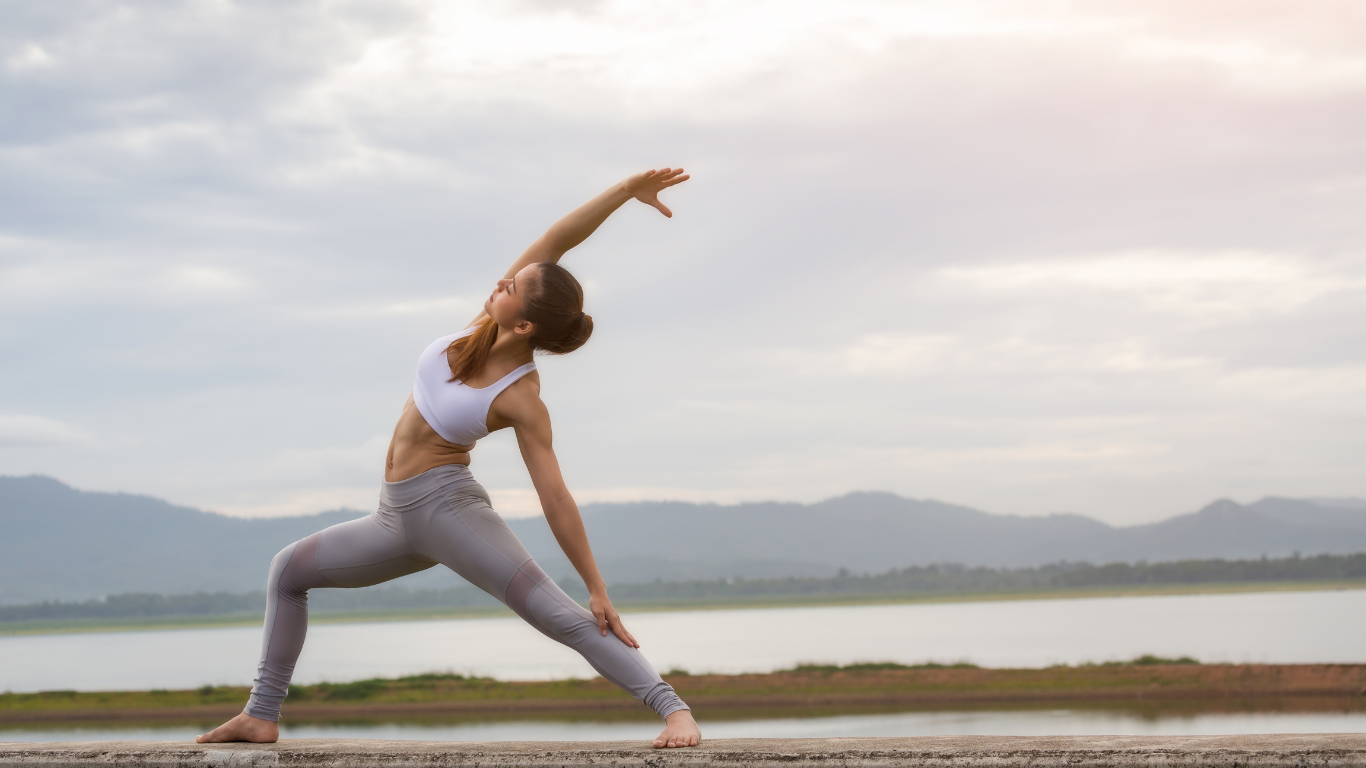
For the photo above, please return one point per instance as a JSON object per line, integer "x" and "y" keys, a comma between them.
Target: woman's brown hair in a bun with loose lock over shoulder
{"x": 554, "y": 305}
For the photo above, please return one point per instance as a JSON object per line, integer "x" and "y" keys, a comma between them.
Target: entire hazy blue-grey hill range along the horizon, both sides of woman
{"x": 62, "y": 543}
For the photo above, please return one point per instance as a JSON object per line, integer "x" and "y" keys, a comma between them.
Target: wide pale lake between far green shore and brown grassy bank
{"x": 1283, "y": 628}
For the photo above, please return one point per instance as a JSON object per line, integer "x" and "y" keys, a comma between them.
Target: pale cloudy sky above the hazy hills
{"x": 1033, "y": 258}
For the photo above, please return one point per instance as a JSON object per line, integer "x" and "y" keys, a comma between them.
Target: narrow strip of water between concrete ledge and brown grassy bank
{"x": 1061, "y": 722}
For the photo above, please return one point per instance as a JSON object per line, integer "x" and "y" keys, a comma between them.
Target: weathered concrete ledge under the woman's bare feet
{"x": 1346, "y": 751}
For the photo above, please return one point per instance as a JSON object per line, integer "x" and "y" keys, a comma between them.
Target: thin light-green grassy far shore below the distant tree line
{"x": 143, "y": 624}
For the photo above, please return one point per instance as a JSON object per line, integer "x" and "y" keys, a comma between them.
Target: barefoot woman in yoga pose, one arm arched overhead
{"x": 432, "y": 510}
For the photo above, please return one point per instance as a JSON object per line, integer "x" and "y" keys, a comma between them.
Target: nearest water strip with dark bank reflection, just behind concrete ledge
{"x": 1184, "y": 718}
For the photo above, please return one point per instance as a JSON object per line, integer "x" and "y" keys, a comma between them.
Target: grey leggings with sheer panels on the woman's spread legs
{"x": 442, "y": 516}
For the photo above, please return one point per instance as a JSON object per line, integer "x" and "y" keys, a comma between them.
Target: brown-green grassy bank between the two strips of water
{"x": 826, "y": 688}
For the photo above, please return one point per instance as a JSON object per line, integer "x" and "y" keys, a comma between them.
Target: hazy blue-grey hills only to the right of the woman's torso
{"x": 875, "y": 532}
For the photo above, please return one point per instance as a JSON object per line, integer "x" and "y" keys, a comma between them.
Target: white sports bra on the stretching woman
{"x": 457, "y": 413}
